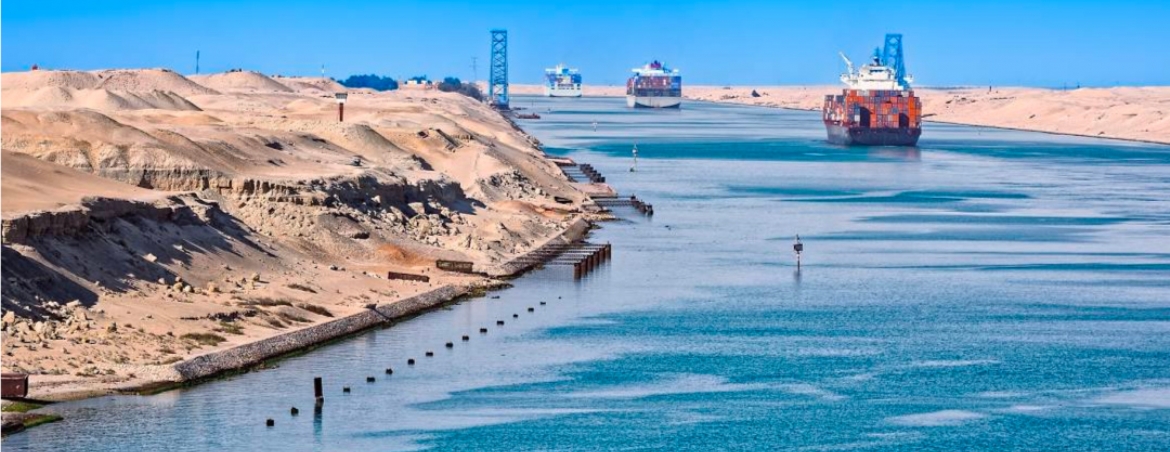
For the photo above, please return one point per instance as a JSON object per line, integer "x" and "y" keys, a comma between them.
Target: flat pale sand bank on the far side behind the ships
{"x": 1125, "y": 113}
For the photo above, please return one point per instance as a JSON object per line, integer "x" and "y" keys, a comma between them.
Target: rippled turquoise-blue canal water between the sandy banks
{"x": 987, "y": 291}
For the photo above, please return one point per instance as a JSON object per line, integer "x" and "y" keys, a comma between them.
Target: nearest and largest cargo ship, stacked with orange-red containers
{"x": 878, "y": 108}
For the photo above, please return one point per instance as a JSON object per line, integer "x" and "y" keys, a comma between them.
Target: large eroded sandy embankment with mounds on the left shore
{"x": 150, "y": 218}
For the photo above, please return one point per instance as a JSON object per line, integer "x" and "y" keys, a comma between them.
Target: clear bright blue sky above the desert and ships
{"x": 1049, "y": 44}
